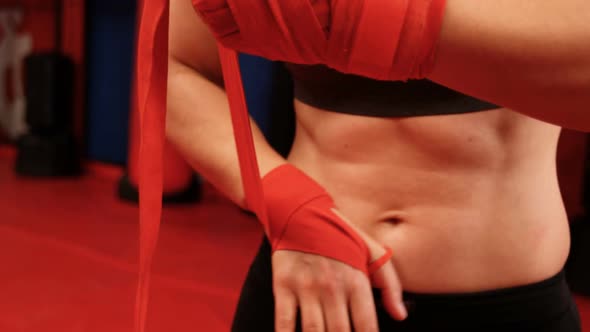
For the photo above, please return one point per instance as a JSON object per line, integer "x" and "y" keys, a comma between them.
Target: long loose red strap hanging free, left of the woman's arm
{"x": 151, "y": 77}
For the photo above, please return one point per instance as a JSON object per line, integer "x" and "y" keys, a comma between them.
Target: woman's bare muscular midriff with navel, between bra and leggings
{"x": 466, "y": 201}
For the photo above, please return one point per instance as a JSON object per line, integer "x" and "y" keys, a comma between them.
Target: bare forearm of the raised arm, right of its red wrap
{"x": 529, "y": 55}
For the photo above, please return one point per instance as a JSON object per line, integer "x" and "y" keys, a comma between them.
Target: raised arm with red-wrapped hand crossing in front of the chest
{"x": 531, "y": 56}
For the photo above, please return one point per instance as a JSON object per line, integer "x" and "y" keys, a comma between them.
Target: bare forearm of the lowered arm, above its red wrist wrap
{"x": 199, "y": 125}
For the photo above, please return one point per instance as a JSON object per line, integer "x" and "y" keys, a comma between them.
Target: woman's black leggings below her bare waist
{"x": 546, "y": 306}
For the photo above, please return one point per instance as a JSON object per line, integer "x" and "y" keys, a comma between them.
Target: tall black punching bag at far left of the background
{"x": 49, "y": 148}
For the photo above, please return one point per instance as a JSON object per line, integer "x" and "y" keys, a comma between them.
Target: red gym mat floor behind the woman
{"x": 68, "y": 254}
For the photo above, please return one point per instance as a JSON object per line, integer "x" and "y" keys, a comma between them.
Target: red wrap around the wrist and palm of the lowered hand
{"x": 300, "y": 218}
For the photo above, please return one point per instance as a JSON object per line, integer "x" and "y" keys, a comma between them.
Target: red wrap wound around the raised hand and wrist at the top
{"x": 381, "y": 39}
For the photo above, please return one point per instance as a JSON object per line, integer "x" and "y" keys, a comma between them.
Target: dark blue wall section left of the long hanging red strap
{"x": 110, "y": 41}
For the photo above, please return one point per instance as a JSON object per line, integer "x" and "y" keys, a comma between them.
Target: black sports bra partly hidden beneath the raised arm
{"x": 327, "y": 89}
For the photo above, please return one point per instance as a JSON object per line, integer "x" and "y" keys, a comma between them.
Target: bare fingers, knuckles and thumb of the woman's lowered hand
{"x": 332, "y": 296}
